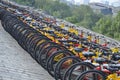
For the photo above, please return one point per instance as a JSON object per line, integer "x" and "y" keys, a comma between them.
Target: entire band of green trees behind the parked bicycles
{"x": 81, "y": 15}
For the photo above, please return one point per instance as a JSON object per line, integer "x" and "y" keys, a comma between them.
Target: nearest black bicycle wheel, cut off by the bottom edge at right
{"x": 92, "y": 75}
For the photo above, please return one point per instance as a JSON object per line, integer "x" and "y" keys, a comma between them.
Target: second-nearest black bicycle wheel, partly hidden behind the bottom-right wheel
{"x": 76, "y": 69}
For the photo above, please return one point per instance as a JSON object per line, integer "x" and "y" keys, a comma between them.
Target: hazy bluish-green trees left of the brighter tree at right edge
{"x": 82, "y": 15}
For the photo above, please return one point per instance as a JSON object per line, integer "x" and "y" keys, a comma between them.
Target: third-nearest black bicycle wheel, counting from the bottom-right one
{"x": 63, "y": 65}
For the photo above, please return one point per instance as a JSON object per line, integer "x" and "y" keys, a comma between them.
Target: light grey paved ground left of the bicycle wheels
{"x": 17, "y": 64}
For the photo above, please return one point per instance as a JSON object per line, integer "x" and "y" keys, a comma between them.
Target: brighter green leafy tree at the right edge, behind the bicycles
{"x": 109, "y": 26}
